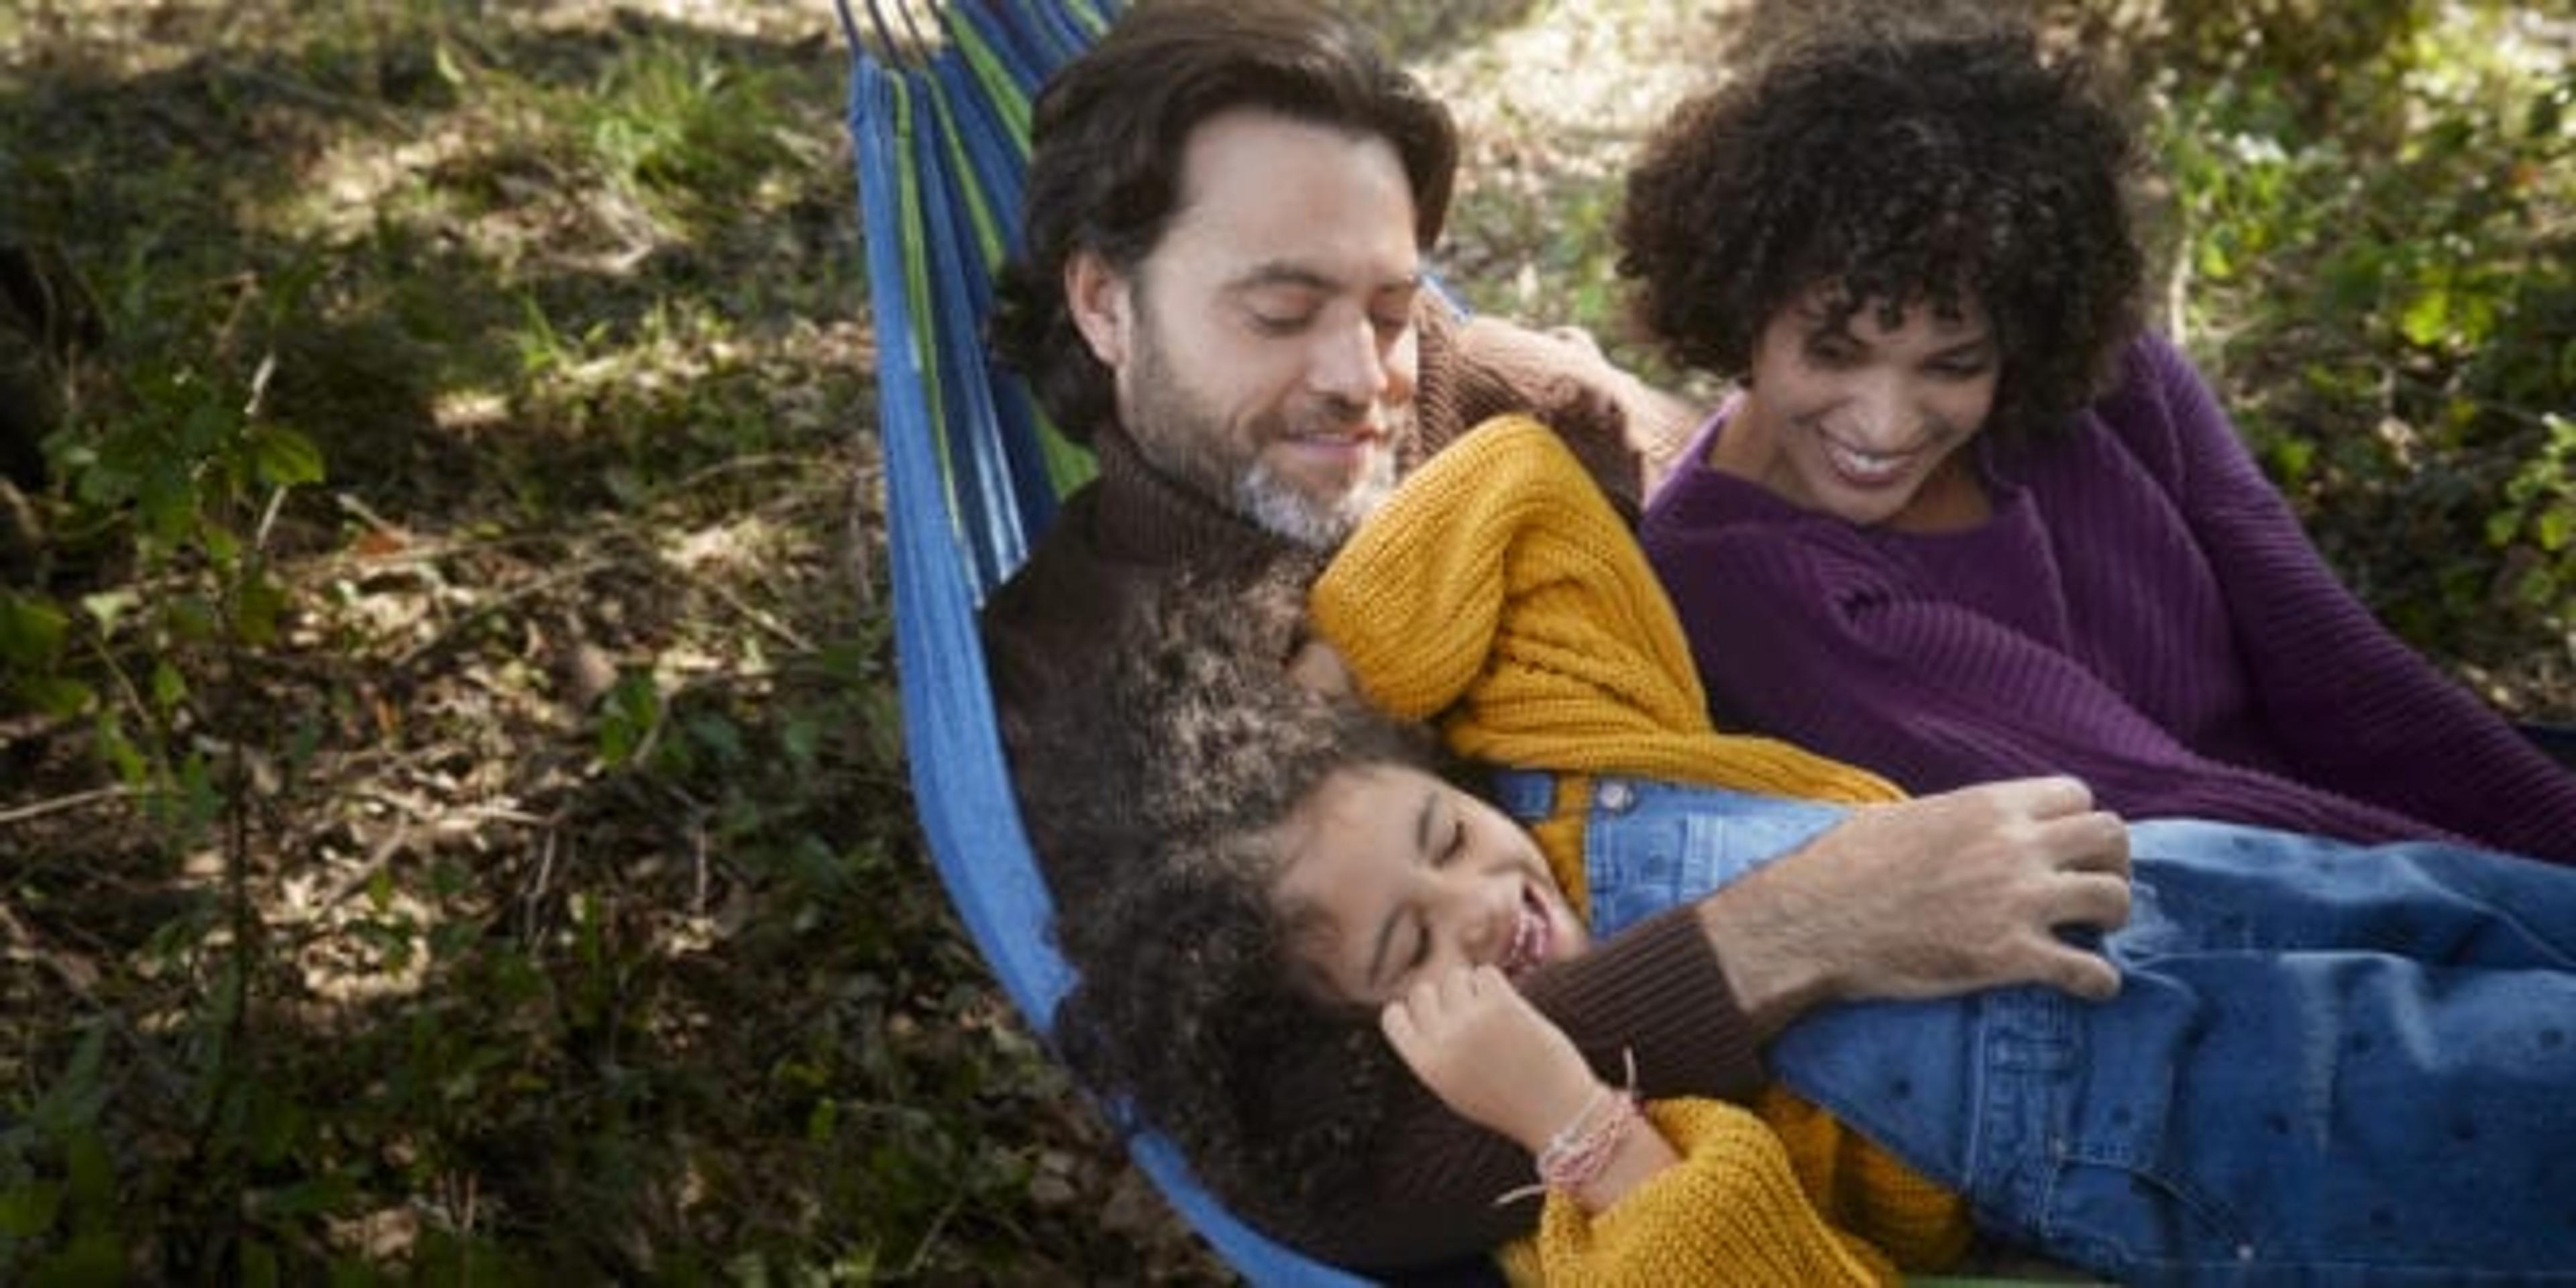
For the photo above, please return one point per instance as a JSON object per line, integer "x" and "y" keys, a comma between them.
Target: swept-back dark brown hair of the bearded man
{"x": 1109, "y": 143}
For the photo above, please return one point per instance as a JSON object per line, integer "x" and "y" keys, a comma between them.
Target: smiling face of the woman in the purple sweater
{"x": 1866, "y": 421}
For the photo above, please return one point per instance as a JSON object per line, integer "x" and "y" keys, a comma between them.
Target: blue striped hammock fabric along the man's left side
{"x": 972, "y": 475}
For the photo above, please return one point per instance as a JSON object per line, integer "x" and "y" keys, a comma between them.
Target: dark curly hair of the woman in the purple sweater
{"x": 1897, "y": 166}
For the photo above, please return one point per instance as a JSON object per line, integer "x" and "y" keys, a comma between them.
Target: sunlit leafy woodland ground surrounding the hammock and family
{"x": 452, "y": 805}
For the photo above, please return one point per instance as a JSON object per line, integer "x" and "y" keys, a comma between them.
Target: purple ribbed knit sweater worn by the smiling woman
{"x": 2142, "y": 612}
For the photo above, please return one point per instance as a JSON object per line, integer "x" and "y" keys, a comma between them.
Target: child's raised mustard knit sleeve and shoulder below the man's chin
{"x": 1501, "y": 594}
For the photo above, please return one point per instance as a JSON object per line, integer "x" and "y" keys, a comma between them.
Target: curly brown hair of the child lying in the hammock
{"x": 1194, "y": 1003}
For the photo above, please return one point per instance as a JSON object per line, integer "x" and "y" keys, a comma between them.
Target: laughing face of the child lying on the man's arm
{"x": 1400, "y": 875}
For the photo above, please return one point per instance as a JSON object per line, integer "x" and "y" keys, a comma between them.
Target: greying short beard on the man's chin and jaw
{"x": 1191, "y": 444}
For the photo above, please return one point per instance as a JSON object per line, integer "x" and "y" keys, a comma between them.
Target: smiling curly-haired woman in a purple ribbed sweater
{"x": 1920, "y": 542}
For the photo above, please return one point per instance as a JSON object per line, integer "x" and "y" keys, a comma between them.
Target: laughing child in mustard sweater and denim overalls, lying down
{"x": 2245, "y": 1106}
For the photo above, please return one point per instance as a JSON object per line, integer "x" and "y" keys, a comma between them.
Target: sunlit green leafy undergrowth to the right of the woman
{"x": 2384, "y": 300}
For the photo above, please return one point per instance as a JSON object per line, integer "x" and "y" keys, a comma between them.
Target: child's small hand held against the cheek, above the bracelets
{"x": 1490, "y": 1055}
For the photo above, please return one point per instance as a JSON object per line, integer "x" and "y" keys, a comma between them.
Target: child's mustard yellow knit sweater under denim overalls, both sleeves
{"x": 1501, "y": 594}
